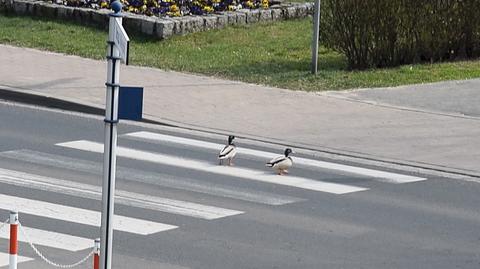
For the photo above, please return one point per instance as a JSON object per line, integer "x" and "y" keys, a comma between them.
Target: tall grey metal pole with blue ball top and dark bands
{"x": 110, "y": 145}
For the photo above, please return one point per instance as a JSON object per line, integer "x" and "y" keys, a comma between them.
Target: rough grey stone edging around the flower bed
{"x": 158, "y": 27}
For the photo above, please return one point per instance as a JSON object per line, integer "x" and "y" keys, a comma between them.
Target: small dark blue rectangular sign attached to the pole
{"x": 130, "y": 103}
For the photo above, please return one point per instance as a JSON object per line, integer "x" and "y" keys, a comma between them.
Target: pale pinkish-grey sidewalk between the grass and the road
{"x": 415, "y": 125}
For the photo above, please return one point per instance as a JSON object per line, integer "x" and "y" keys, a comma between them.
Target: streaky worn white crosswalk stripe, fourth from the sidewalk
{"x": 122, "y": 197}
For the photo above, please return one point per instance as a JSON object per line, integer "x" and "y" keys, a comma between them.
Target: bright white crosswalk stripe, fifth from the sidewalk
{"x": 79, "y": 215}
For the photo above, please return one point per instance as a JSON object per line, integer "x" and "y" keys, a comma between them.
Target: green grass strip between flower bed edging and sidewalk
{"x": 272, "y": 54}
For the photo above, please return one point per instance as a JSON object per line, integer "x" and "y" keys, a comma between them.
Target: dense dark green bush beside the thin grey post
{"x": 384, "y": 33}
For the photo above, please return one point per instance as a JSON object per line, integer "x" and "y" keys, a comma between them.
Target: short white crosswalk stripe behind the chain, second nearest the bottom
{"x": 50, "y": 239}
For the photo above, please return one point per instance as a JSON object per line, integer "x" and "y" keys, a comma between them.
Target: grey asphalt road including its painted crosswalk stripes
{"x": 181, "y": 210}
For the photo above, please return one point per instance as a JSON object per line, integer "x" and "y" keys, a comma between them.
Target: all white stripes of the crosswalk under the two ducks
{"x": 91, "y": 218}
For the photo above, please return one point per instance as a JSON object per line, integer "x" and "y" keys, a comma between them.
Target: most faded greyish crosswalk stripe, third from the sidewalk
{"x": 136, "y": 175}
